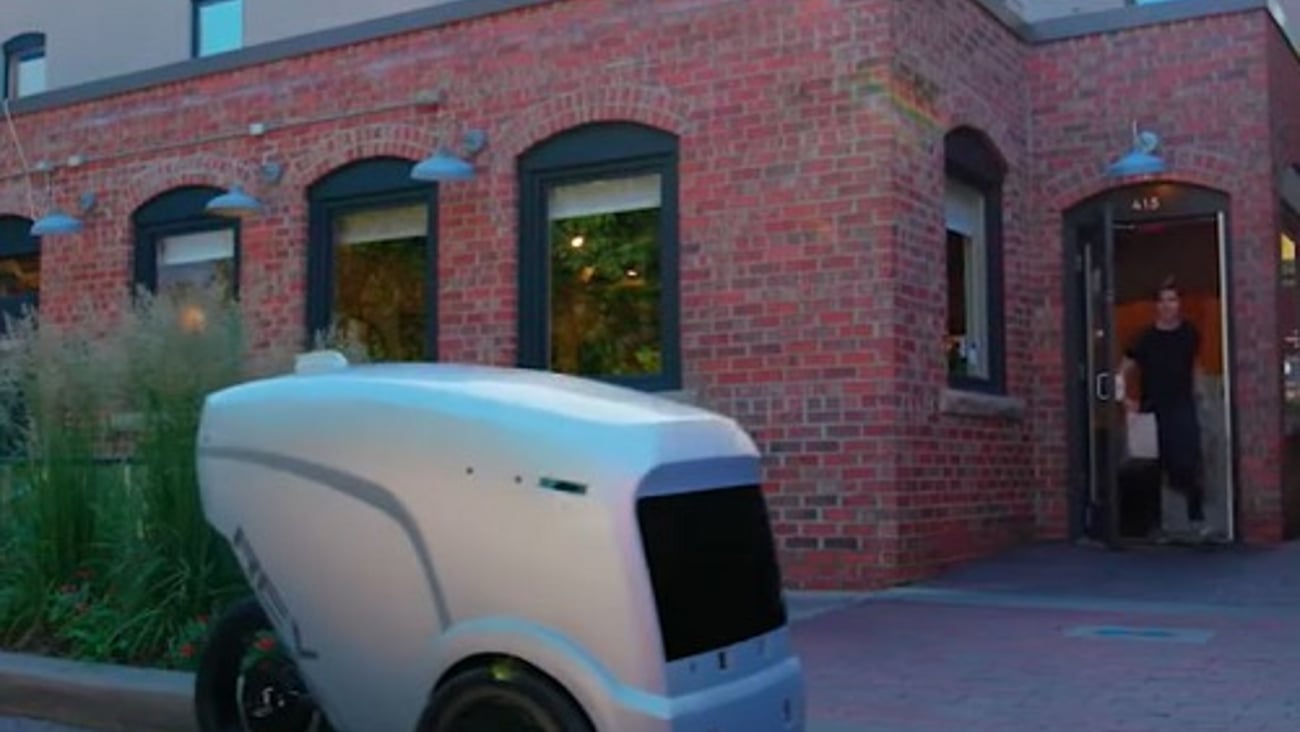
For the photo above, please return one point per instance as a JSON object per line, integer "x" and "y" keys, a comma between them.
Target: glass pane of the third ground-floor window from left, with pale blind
{"x": 380, "y": 271}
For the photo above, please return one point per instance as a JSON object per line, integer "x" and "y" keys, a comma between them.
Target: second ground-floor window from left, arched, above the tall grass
{"x": 183, "y": 250}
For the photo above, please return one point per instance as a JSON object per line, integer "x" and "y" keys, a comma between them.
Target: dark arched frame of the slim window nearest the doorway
{"x": 973, "y": 161}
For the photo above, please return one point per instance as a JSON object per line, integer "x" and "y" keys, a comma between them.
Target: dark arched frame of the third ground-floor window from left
{"x": 361, "y": 185}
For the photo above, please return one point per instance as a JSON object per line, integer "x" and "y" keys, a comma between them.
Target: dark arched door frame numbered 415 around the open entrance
{"x": 1137, "y": 203}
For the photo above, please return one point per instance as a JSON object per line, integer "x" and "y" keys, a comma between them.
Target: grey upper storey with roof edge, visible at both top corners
{"x": 81, "y": 54}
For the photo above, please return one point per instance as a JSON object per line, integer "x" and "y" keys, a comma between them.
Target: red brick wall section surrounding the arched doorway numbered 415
{"x": 1203, "y": 86}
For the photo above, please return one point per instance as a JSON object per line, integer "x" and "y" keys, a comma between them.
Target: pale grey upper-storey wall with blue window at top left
{"x": 86, "y": 42}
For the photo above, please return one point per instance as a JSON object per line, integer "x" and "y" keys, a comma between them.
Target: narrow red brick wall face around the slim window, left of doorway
{"x": 967, "y": 484}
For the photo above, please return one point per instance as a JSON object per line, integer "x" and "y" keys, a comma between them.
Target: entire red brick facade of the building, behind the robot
{"x": 812, "y": 170}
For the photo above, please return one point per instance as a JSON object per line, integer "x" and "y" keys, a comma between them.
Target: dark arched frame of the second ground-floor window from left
{"x": 175, "y": 213}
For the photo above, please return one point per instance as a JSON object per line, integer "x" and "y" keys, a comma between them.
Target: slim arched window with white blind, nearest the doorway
{"x": 973, "y": 254}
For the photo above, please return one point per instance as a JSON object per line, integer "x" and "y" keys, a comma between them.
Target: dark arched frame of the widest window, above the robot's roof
{"x": 584, "y": 154}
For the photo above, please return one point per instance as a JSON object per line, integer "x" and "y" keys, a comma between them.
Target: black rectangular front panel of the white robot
{"x": 713, "y": 568}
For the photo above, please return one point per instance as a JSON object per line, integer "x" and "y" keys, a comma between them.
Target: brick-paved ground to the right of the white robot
{"x": 1058, "y": 639}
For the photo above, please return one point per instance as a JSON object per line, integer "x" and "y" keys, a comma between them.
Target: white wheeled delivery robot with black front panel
{"x": 467, "y": 549}
